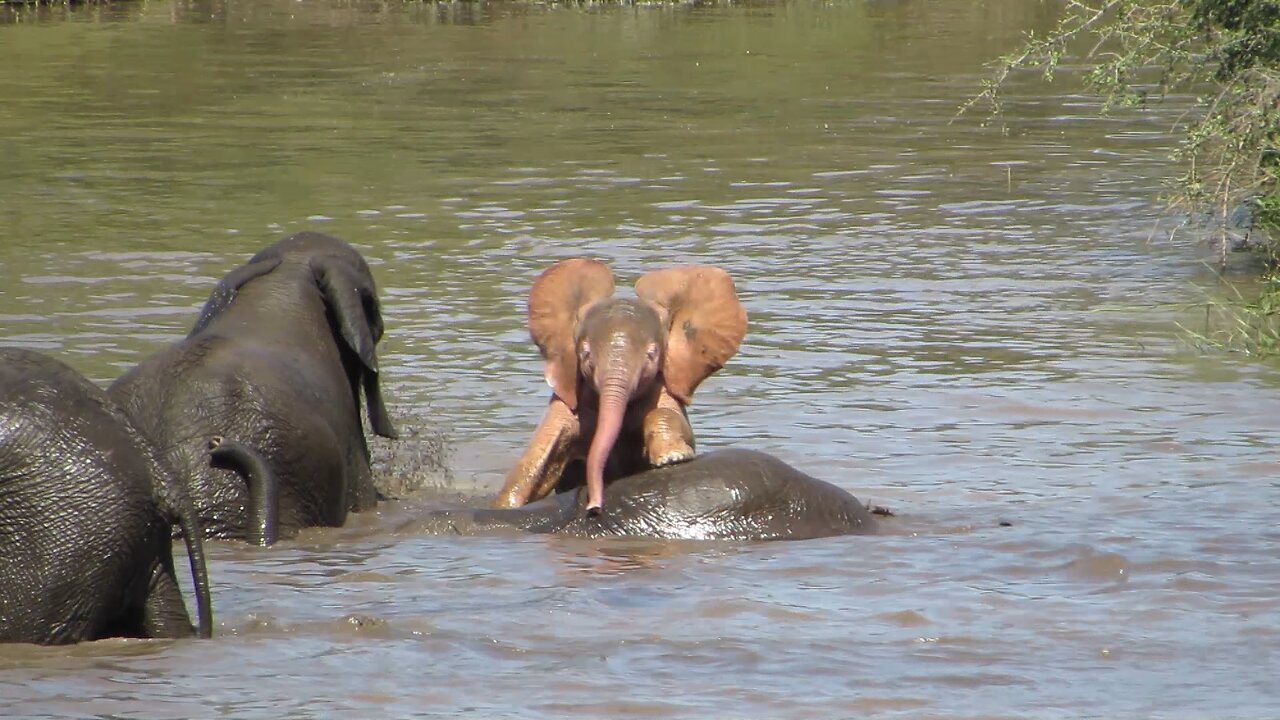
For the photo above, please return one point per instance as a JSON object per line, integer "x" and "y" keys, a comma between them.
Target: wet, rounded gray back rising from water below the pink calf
{"x": 742, "y": 495}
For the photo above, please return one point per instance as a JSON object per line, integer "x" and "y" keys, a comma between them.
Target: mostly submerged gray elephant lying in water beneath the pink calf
{"x": 738, "y": 495}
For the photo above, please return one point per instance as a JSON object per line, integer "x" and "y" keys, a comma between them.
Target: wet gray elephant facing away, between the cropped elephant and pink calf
{"x": 271, "y": 380}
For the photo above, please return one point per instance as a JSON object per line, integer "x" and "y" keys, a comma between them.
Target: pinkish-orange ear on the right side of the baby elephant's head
{"x": 705, "y": 320}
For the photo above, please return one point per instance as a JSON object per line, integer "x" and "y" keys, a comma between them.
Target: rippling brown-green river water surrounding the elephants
{"x": 976, "y": 329}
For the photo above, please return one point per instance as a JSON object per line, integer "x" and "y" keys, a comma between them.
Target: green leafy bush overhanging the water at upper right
{"x": 1228, "y": 54}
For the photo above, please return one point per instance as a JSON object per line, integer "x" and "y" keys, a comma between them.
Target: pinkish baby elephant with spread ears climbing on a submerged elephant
{"x": 623, "y": 371}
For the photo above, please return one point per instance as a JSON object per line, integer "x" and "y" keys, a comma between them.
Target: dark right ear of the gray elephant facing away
{"x": 354, "y": 303}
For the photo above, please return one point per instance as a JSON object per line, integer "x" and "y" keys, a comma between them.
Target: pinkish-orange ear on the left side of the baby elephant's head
{"x": 556, "y": 304}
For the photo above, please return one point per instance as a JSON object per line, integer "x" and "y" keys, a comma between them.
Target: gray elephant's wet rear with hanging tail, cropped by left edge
{"x": 86, "y": 516}
